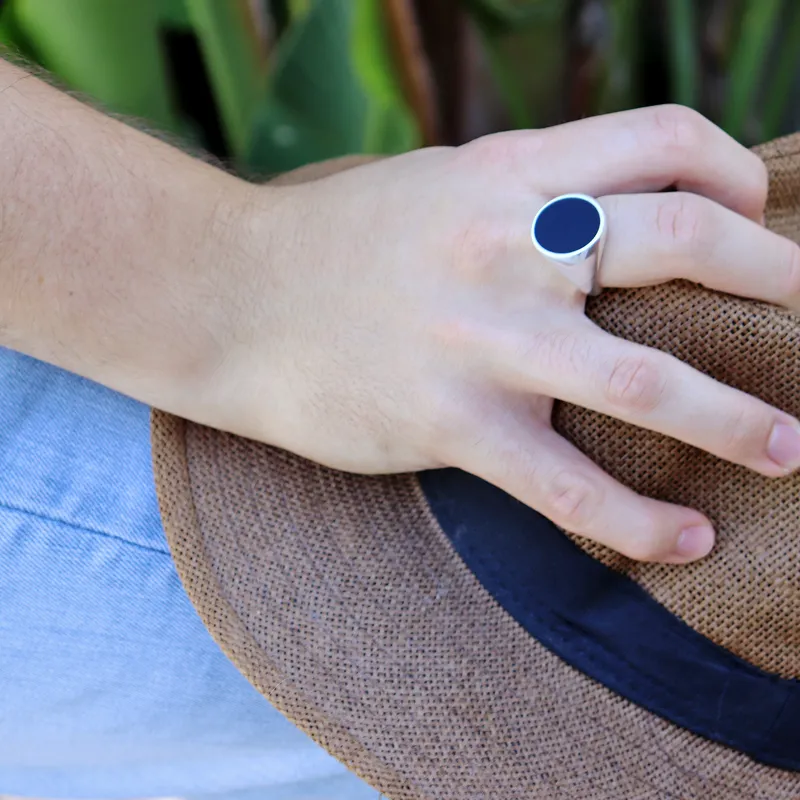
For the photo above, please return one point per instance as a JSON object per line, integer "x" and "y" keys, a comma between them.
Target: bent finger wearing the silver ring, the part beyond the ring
{"x": 654, "y": 238}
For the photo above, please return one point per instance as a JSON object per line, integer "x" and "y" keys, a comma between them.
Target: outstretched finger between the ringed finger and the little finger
{"x": 586, "y": 366}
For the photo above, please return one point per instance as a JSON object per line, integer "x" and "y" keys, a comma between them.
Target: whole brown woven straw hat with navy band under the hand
{"x": 445, "y": 641}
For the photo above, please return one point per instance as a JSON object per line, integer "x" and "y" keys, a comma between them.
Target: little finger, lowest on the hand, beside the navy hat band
{"x": 541, "y": 469}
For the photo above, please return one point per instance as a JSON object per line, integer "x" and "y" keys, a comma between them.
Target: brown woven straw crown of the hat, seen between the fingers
{"x": 746, "y": 596}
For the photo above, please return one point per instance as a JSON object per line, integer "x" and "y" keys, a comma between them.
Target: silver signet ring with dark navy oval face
{"x": 570, "y": 231}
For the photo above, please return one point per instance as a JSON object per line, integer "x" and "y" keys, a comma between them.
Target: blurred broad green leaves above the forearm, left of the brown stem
{"x": 326, "y": 87}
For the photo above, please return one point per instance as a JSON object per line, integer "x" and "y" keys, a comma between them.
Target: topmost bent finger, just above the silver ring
{"x": 646, "y": 150}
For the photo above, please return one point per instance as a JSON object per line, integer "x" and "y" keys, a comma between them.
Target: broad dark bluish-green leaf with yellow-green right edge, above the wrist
{"x": 334, "y": 91}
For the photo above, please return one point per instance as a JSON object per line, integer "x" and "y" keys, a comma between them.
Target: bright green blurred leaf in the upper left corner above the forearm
{"x": 108, "y": 49}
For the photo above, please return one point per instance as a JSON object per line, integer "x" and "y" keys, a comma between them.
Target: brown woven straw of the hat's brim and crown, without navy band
{"x": 342, "y": 602}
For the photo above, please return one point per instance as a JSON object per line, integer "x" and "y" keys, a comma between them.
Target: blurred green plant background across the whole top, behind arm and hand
{"x": 272, "y": 84}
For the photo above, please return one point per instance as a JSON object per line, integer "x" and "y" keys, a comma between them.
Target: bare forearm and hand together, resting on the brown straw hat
{"x": 395, "y": 316}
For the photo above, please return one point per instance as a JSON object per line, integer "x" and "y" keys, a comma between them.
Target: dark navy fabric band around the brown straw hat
{"x": 605, "y": 625}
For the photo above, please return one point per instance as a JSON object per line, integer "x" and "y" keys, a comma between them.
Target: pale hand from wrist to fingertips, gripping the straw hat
{"x": 401, "y": 318}
